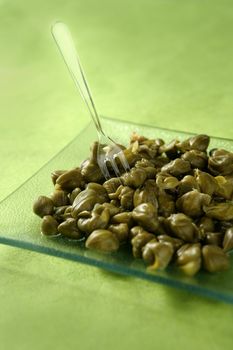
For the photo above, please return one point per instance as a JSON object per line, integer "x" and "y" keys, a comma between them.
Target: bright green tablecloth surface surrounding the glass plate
{"x": 162, "y": 62}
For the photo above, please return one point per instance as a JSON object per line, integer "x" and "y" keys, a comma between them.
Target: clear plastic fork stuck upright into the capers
{"x": 66, "y": 46}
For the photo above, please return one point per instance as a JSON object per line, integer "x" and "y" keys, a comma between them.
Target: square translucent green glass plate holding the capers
{"x": 21, "y": 228}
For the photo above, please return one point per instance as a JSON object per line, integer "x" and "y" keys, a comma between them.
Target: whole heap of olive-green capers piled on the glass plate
{"x": 175, "y": 205}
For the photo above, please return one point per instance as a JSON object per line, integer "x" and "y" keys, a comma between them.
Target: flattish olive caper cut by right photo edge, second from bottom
{"x": 219, "y": 211}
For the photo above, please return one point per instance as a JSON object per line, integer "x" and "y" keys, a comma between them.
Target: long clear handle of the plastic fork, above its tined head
{"x": 64, "y": 41}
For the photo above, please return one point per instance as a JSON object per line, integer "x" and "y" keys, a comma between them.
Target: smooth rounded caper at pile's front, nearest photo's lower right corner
{"x": 214, "y": 258}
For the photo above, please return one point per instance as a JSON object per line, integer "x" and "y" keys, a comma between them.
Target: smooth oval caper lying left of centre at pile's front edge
{"x": 103, "y": 240}
